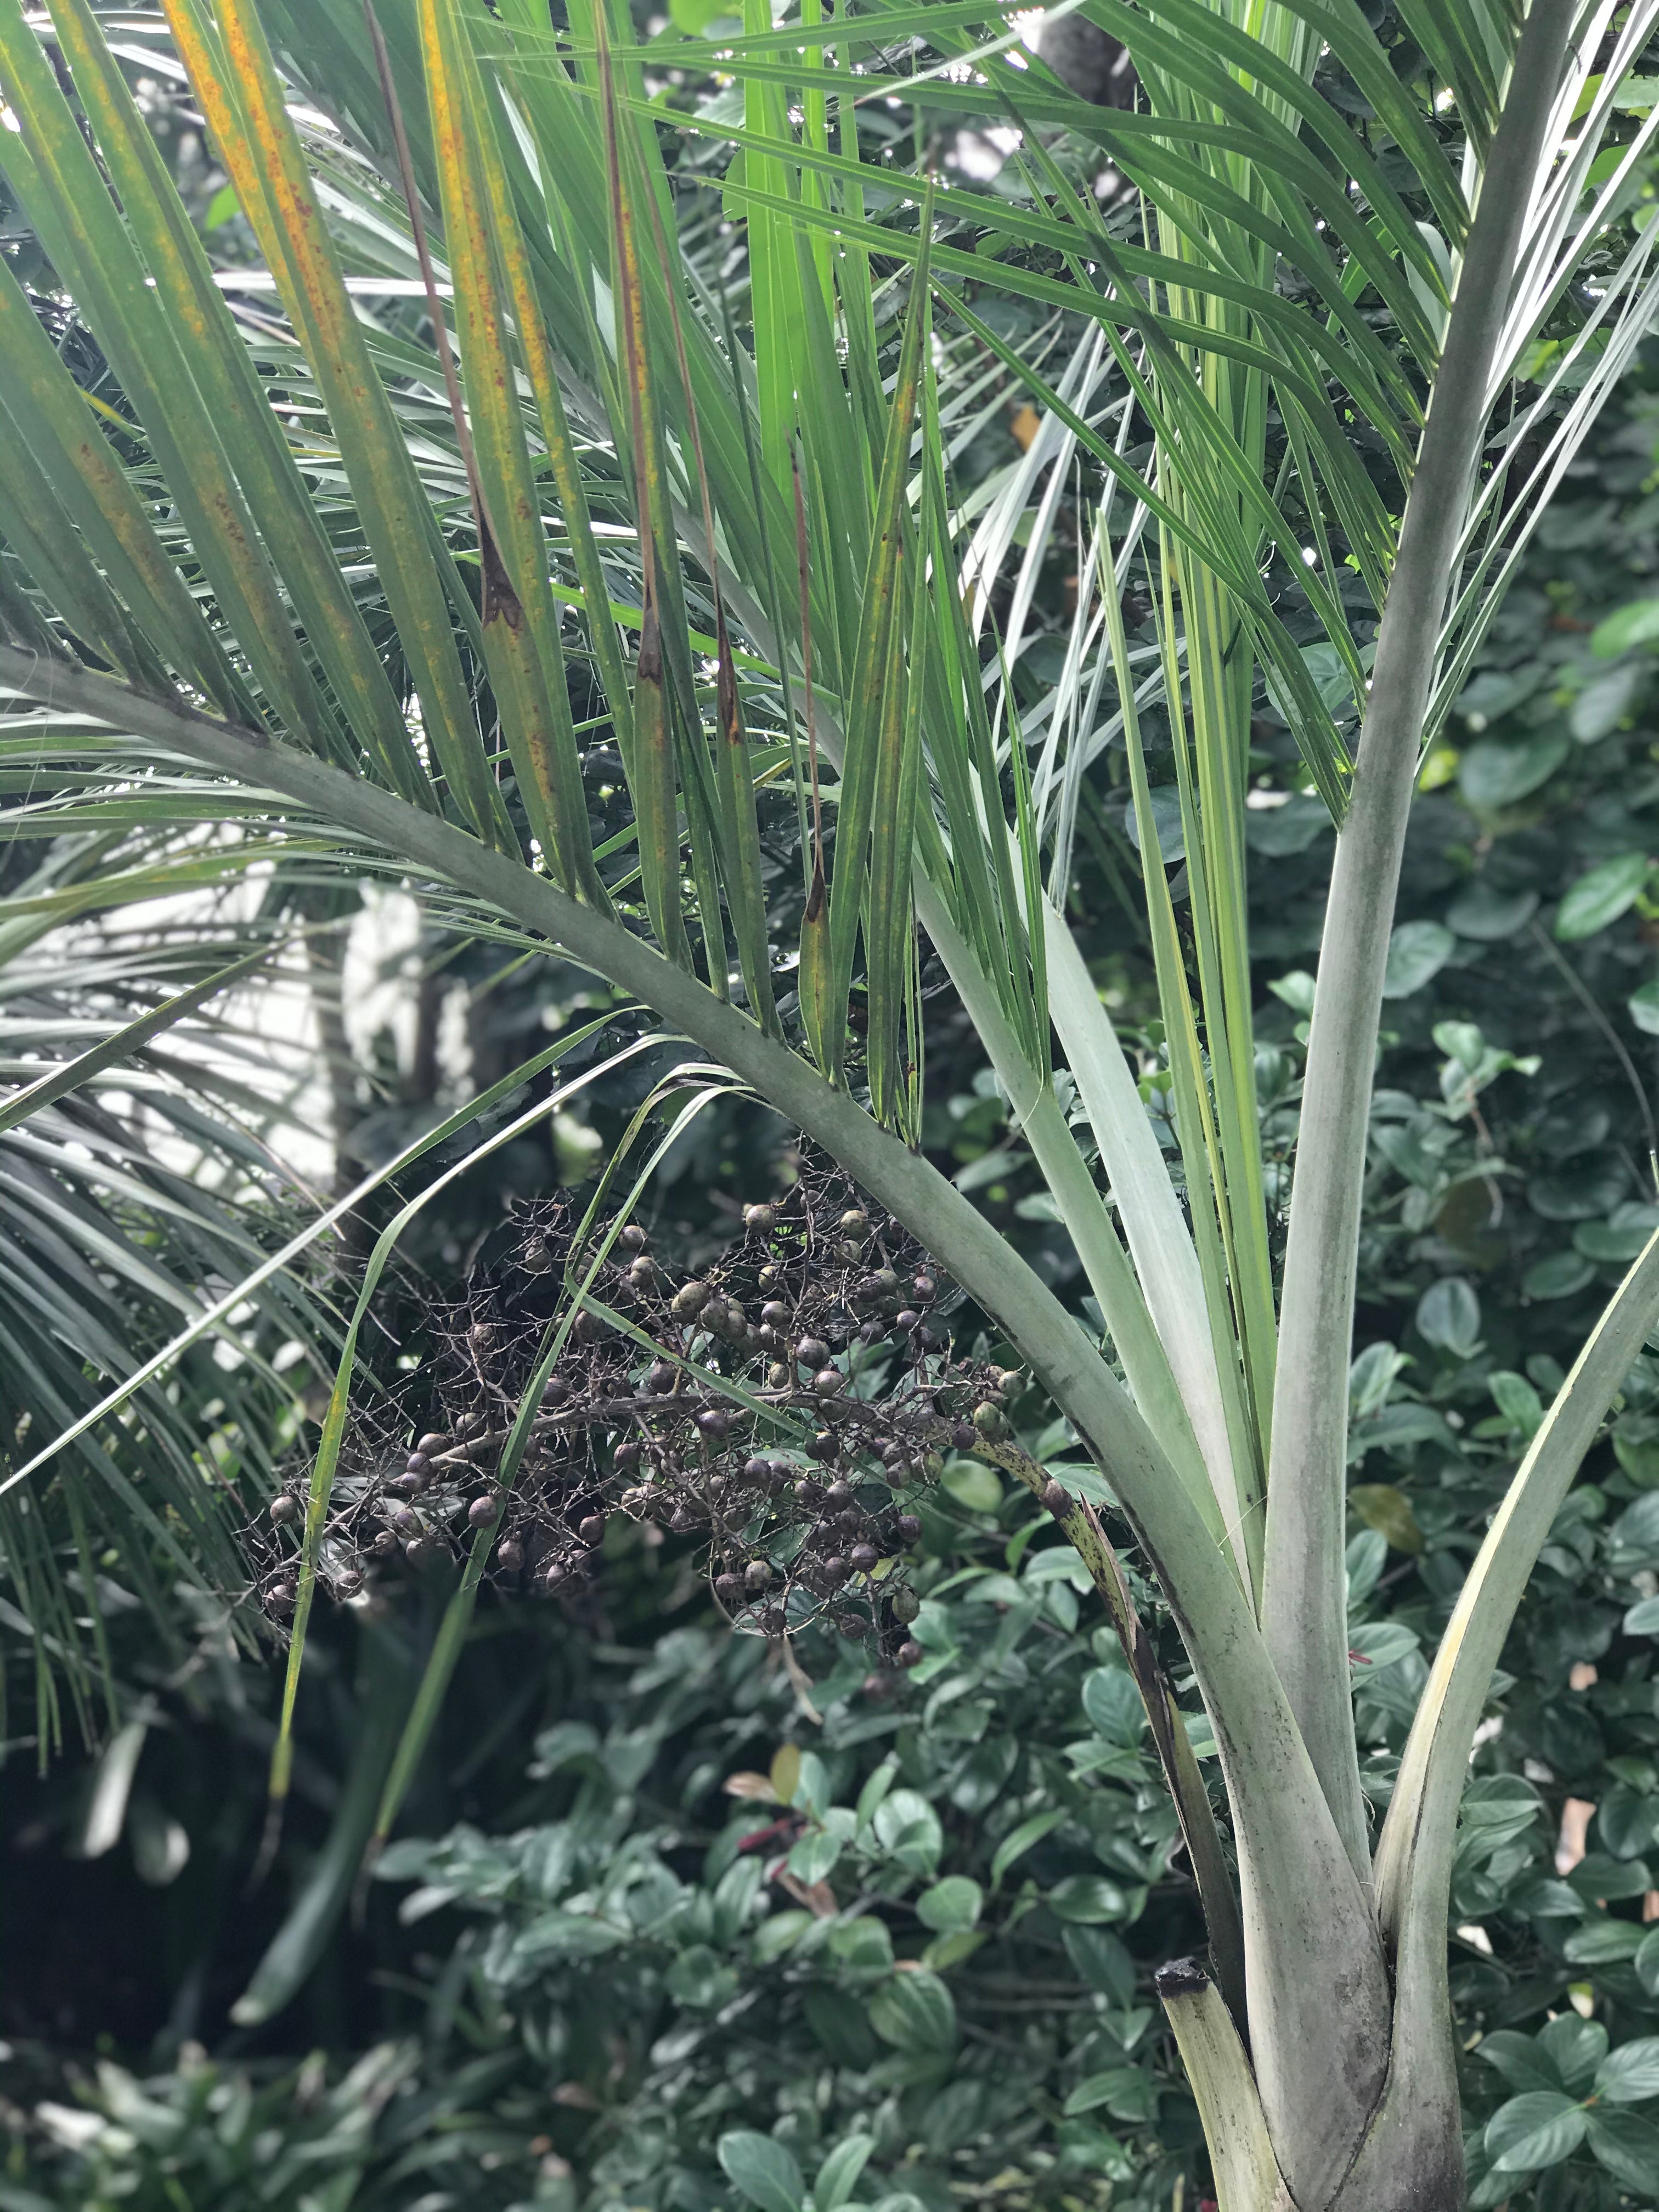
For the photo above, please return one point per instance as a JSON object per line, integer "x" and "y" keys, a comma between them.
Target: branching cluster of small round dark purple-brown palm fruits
{"x": 782, "y": 1412}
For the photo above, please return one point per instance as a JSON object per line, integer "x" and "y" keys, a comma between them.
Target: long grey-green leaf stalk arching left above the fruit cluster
{"x": 1319, "y": 2074}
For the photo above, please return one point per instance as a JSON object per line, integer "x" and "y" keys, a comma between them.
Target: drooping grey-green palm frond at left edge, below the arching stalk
{"x": 134, "y": 1180}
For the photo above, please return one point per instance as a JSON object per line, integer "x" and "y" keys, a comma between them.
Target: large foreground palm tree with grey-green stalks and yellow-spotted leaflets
{"x": 344, "y": 585}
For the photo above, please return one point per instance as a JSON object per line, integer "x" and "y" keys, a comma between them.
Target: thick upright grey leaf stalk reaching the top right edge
{"x": 1304, "y": 1607}
